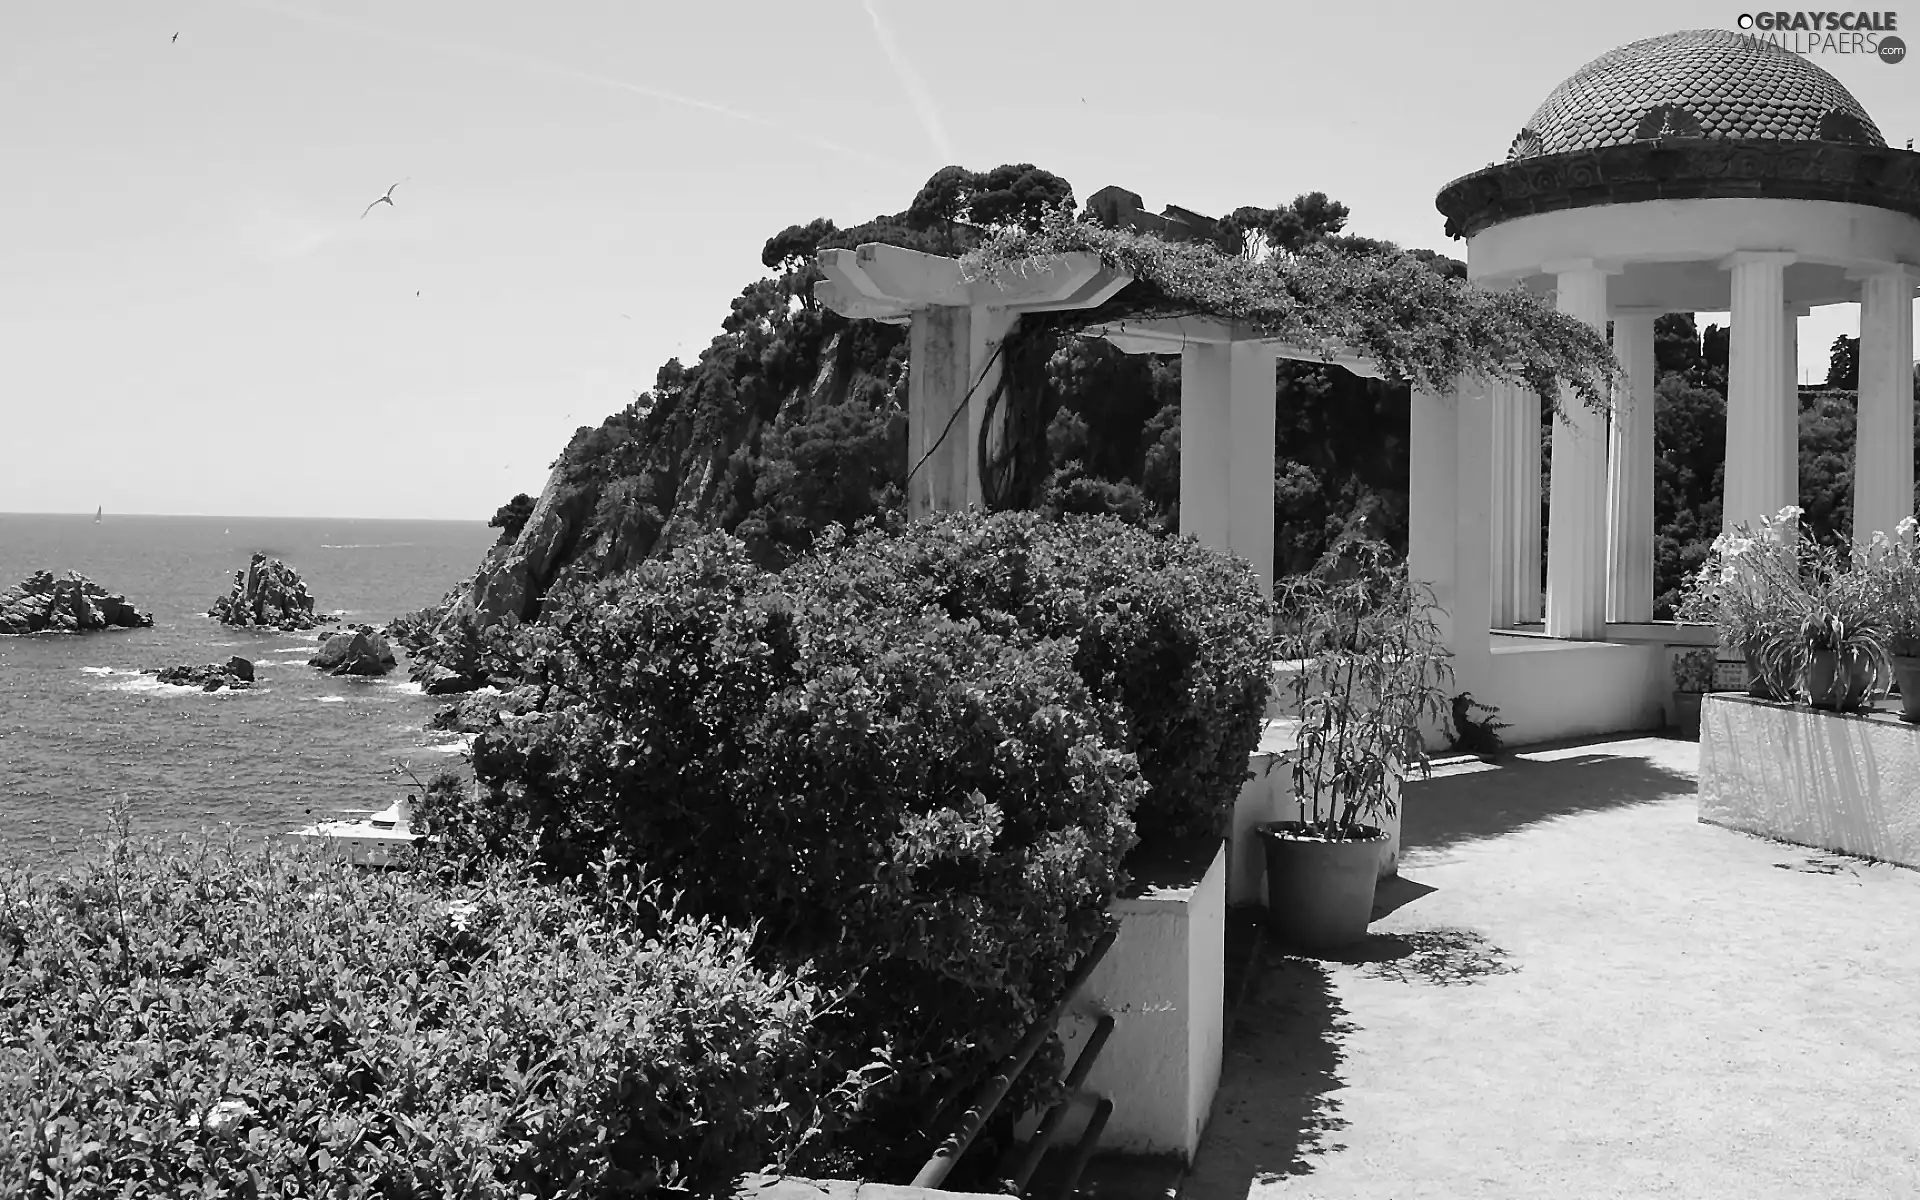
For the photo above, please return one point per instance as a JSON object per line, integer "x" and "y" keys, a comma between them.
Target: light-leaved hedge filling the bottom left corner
{"x": 210, "y": 1022}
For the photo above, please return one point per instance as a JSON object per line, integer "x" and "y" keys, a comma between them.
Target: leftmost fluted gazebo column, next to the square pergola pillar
{"x": 1516, "y": 504}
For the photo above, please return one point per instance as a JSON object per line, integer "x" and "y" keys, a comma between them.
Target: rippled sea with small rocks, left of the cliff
{"x": 82, "y": 729}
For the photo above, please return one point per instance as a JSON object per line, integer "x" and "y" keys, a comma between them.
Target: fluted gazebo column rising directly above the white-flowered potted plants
{"x": 1760, "y": 454}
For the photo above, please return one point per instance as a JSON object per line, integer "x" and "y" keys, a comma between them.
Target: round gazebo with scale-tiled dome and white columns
{"x": 1692, "y": 172}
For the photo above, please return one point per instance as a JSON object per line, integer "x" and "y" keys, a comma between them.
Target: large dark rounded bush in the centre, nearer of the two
{"x": 924, "y": 809}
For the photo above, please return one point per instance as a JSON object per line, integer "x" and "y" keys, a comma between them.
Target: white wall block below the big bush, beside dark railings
{"x": 1164, "y": 984}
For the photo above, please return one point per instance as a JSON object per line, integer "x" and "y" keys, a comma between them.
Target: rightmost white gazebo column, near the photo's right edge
{"x": 1884, "y": 437}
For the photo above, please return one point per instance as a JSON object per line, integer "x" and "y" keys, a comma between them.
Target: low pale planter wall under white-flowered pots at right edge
{"x": 1829, "y": 780}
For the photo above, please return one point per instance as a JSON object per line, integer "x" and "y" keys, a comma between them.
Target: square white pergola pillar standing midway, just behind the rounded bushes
{"x": 1228, "y": 396}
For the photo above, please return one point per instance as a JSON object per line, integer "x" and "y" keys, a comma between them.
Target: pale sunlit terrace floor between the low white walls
{"x": 1581, "y": 992}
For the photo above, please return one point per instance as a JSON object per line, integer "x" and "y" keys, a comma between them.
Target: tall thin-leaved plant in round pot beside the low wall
{"x": 1372, "y": 681}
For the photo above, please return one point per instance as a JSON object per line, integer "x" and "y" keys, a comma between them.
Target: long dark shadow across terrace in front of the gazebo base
{"x": 1489, "y": 804}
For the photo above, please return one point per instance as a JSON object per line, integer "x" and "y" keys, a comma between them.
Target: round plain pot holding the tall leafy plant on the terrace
{"x": 1320, "y": 894}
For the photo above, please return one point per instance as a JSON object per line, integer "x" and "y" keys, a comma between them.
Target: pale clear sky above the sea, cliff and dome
{"x": 197, "y": 318}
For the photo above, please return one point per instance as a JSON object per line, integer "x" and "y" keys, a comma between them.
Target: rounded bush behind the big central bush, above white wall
{"x": 1170, "y": 636}
